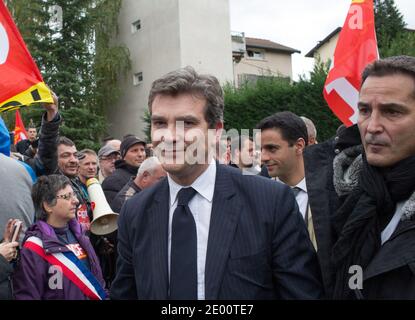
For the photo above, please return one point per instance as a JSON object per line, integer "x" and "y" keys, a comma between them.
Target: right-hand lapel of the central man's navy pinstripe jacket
{"x": 223, "y": 221}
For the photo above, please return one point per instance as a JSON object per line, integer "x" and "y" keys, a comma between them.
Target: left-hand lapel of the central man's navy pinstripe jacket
{"x": 159, "y": 222}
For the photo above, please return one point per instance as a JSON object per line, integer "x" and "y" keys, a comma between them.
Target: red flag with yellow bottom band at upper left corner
{"x": 20, "y": 81}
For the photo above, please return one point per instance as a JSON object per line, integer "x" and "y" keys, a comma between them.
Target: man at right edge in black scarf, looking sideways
{"x": 375, "y": 226}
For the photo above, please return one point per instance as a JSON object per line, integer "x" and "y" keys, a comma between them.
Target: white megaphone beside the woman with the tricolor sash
{"x": 104, "y": 221}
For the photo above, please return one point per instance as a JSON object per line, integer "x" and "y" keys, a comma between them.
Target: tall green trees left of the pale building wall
{"x": 77, "y": 60}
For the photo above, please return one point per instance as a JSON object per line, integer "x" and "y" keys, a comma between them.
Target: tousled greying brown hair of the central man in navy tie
{"x": 187, "y": 80}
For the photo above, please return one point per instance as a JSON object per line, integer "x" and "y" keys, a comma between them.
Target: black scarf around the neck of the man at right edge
{"x": 358, "y": 223}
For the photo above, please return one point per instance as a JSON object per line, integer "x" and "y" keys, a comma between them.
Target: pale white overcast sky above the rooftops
{"x": 298, "y": 24}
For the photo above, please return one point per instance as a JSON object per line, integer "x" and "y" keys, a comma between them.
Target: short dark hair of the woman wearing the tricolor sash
{"x": 45, "y": 190}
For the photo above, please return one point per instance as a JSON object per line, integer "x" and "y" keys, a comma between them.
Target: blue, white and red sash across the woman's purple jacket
{"x": 72, "y": 268}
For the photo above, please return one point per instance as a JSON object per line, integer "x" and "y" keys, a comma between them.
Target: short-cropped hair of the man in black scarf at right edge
{"x": 390, "y": 66}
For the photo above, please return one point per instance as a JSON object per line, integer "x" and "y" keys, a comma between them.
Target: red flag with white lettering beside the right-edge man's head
{"x": 355, "y": 49}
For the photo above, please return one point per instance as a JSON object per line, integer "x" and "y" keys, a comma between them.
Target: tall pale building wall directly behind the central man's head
{"x": 173, "y": 34}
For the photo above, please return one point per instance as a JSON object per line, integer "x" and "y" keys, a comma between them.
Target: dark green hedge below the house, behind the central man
{"x": 247, "y": 105}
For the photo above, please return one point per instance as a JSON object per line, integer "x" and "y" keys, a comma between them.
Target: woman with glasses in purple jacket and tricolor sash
{"x": 57, "y": 260}
